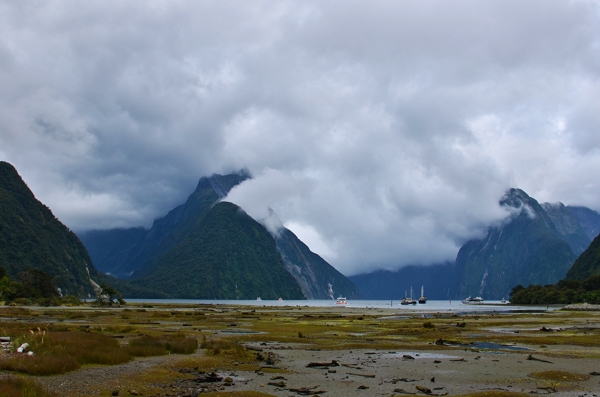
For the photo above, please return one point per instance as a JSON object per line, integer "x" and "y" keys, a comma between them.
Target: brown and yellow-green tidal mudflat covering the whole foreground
{"x": 229, "y": 350}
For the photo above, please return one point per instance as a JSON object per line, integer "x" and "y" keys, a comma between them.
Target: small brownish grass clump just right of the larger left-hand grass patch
{"x": 160, "y": 345}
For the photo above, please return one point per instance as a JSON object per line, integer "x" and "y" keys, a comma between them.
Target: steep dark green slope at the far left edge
{"x": 32, "y": 237}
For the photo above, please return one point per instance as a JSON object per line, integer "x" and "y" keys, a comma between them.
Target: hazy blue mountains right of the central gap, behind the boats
{"x": 536, "y": 244}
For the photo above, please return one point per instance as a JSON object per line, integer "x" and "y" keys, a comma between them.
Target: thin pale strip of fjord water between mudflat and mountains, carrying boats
{"x": 430, "y": 306}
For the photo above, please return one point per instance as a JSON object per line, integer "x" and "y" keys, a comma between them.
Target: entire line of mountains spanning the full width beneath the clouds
{"x": 207, "y": 248}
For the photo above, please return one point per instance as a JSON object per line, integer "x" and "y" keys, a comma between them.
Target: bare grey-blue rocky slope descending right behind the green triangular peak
{"x": 317, "y": 278}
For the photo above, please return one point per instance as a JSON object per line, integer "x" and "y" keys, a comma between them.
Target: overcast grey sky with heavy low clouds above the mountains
{"x": 382, "y": 132}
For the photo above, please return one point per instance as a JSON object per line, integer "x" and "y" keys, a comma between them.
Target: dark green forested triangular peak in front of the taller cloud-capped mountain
{"x": 229, "y": 256}
